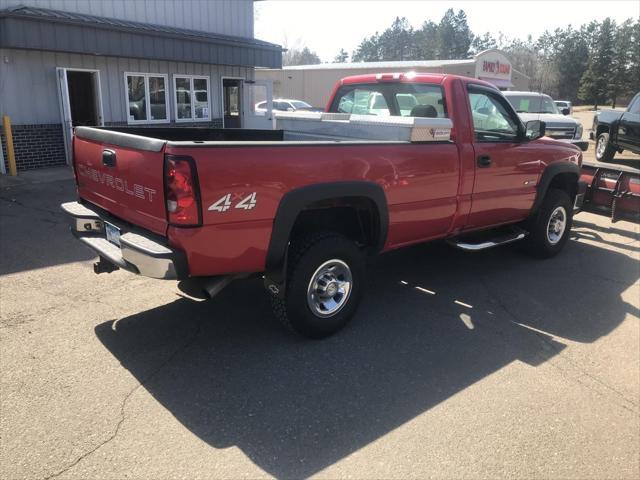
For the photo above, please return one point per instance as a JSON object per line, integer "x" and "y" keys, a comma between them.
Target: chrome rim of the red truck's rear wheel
{"x": 329, "y": 288}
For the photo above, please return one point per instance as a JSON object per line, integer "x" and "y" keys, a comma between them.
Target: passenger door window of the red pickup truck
{"x": 491, "y": 120}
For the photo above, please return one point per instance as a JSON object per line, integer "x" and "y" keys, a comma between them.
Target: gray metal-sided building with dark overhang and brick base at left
{"x": 113, "y": 62}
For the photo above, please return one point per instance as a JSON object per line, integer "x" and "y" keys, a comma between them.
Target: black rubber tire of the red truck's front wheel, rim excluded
{"x": 540, "y": 242}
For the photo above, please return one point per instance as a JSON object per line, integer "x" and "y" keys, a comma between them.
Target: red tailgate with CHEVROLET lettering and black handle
{"x": 122, "y": 174}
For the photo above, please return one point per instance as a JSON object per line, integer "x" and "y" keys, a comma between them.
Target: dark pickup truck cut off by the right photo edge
{"x": 615, "y": 131}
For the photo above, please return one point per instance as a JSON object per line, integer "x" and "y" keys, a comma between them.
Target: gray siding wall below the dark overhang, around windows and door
{"x": 29, "y": 90}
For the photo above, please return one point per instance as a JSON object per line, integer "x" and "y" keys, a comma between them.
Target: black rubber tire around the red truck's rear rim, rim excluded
{"x": 305, "y": 258}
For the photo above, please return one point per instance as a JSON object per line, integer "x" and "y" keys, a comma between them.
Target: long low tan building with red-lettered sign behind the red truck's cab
{"x": 313, "y": 83}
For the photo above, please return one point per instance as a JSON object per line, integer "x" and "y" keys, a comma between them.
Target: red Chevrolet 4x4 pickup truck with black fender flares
{"x": 213, "y": 205}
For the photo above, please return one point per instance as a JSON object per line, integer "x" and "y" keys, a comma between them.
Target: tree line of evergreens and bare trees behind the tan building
{"x": 595, "y": 63}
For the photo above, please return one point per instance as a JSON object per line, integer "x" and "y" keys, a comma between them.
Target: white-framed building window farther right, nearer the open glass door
{"x": 191, "y": 98}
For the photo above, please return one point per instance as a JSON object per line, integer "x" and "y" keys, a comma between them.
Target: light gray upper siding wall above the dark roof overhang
{"x": 230, "y": 17}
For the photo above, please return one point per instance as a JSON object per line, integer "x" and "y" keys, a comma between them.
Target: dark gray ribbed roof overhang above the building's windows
{"x": 51, "y": 30}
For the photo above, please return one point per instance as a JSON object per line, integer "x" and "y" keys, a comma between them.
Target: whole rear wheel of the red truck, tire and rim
{"x": 324, "y": 285}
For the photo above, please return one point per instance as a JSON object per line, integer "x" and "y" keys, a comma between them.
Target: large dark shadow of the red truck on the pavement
{"x": 435, "y": 321}
